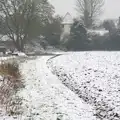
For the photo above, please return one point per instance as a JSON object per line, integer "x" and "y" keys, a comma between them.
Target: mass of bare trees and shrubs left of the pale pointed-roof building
{"x": 23, "y": 21}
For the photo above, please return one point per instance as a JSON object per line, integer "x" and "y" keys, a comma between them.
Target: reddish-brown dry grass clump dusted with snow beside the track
{"x": 10, "y": 84}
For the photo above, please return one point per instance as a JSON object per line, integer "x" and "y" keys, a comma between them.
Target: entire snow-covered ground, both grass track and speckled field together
{"x": 71, "y": 86}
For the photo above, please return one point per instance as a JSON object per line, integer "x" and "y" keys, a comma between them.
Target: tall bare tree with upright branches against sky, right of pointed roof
{"x": 89, "y": 10}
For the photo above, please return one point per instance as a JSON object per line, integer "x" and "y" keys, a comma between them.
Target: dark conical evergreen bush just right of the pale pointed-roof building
{"x": 78, "y": 37}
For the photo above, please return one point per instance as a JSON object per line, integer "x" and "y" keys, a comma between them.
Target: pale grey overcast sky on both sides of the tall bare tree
{"x": 111, "y": 8}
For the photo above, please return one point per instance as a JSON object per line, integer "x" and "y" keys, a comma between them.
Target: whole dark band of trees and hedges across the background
{"x": 22, "y": 21}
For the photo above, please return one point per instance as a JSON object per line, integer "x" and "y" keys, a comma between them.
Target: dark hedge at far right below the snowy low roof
{"x": 105, "y": 42}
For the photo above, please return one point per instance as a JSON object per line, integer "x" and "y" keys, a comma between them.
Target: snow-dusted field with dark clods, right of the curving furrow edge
{"x": 95, "y": 77}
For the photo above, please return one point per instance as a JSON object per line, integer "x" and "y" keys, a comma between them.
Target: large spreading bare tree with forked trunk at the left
{"x": 19, "y": 16}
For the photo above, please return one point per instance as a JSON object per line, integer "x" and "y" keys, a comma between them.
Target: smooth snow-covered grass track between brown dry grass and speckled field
{"x": 46, "y": 98}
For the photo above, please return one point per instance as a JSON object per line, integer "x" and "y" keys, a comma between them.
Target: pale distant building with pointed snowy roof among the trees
{"x": 66, "y": 25}
